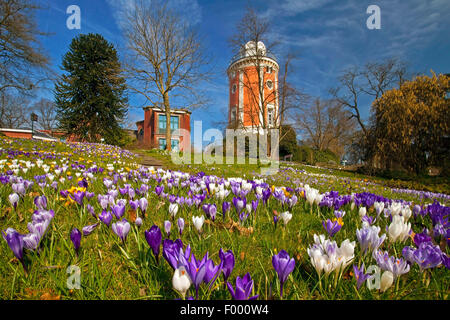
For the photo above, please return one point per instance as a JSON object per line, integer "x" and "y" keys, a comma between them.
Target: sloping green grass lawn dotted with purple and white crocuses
{"x": 115, "y": 269}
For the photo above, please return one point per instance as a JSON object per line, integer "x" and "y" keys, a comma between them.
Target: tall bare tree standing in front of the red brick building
{"x": 167, "y": 59}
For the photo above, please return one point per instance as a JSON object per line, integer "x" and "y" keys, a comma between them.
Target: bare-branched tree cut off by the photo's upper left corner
{"x": 23, "y": 65}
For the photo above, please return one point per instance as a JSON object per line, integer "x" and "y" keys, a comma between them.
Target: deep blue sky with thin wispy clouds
{"x": 328, "y": 36}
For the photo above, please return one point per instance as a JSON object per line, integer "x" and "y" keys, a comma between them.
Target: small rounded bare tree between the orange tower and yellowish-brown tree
{"x": 326, "y": 125}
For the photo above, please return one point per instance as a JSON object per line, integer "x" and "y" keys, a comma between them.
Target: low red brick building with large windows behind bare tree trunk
{"x": 151, "y": 132}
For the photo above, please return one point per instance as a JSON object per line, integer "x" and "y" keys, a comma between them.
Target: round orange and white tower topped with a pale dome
{"x": 253, "y": 98}
